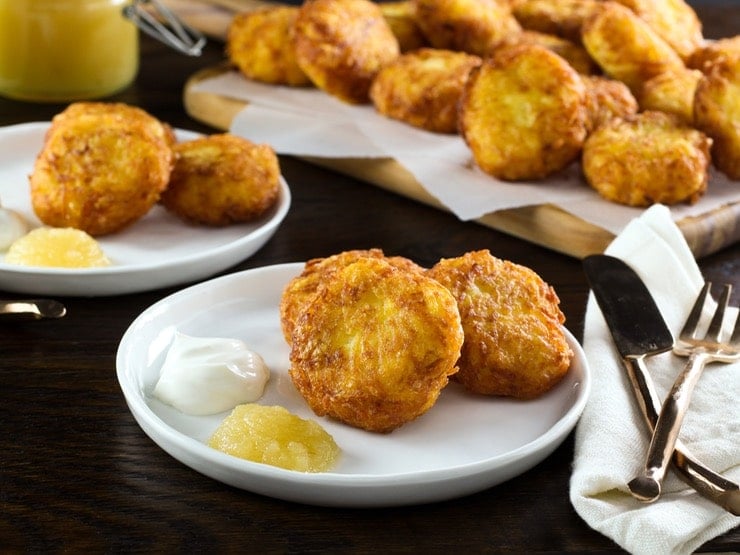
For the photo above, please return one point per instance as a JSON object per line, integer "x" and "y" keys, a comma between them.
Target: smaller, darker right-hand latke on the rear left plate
{"x": 222, "y": 179}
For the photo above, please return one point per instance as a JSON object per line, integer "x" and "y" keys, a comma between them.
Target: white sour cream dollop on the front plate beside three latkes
{"x": 207, "y": 375}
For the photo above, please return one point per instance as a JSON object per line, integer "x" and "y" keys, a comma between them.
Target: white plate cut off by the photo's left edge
{"x": 159, "y": 250}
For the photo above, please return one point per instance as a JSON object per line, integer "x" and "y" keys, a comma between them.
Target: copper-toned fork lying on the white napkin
{"x": 700, "y": 351}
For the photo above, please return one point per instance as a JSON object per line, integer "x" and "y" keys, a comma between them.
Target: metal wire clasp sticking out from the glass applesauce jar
{"x": 158, "y": 21}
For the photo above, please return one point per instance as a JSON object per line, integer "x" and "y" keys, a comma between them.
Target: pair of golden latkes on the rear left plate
{"x": 103, "y": 166}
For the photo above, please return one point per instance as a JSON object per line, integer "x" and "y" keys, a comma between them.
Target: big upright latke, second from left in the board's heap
{"x": 342, "y": 44}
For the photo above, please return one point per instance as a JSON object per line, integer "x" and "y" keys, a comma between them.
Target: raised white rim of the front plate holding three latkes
{"x": 534, "y": 451}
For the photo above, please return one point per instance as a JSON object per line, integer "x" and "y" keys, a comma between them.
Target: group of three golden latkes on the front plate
{"x": 374, "y": 339}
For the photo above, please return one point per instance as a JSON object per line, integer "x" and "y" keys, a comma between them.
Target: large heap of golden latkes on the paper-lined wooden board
{"x": 630, "y": 87}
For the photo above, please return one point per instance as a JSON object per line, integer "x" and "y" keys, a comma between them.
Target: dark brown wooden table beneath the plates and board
{"x": 77, "y": 474}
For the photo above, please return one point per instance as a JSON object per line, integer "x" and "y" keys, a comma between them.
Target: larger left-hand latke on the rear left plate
{"x": 101, "y": 168}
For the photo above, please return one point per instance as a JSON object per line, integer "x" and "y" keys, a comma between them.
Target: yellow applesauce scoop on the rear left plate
{"x": 57, "y": 247}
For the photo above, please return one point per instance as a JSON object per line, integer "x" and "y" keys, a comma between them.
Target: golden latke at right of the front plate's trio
{"x": 514, "y": 343}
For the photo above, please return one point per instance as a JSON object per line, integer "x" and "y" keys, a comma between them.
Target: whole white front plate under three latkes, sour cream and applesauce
{"x": 463, "y": 444}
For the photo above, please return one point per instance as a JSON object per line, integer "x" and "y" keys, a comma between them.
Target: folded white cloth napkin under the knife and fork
{"x": 611, "y": 437}
